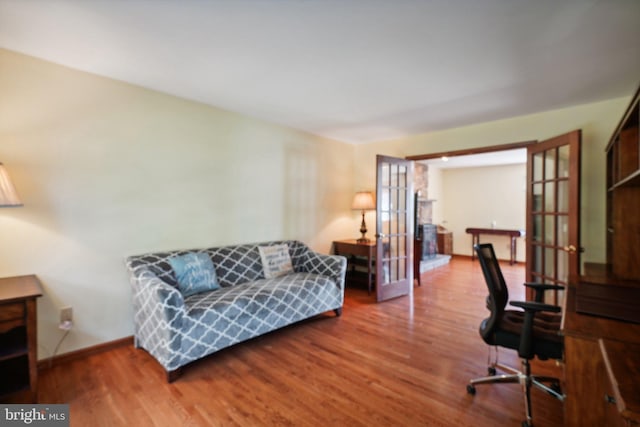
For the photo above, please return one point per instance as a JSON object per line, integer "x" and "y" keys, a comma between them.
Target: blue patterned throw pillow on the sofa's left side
{"x": 194, "y": 273}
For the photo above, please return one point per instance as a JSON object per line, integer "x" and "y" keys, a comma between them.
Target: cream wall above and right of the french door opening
{"x": 597, "y": 121}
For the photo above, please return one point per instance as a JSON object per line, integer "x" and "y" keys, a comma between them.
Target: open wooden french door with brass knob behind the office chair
{"x": 553, "y": 212}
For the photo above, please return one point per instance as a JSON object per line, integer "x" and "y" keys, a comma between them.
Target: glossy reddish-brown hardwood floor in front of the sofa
{"x": 399, "y": 363}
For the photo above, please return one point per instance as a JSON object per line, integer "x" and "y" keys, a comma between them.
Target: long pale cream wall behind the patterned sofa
{"x": 106, "y": 169}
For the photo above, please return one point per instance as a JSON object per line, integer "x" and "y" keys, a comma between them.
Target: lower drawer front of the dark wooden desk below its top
{"x": 602, "y": 369}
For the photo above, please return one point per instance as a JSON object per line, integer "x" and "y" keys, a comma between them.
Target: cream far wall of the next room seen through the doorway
{"x": 496, "y": 193}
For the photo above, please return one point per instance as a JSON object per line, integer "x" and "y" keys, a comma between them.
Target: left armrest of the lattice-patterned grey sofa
{"x": 158, "y": 315}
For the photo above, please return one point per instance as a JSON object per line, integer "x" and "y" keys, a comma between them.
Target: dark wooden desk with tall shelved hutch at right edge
{"x": 601, "y": 322}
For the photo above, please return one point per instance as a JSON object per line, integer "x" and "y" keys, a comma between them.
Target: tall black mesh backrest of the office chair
{"x": 498, "y": 292}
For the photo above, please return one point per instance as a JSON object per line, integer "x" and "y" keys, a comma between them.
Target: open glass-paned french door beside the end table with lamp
{"x": 394, "y": 227}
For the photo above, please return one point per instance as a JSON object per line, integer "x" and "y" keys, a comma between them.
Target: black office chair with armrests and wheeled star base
{"x": 533, "y": 331}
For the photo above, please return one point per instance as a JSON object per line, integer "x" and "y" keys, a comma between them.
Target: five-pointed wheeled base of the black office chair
{"x": 524, "y": 378}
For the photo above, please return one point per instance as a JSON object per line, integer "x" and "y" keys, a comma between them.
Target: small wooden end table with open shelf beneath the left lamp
{"x": 18, "y": 338}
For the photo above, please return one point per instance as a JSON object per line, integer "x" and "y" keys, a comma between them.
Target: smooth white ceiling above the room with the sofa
{"x": 352, "y": 70}
